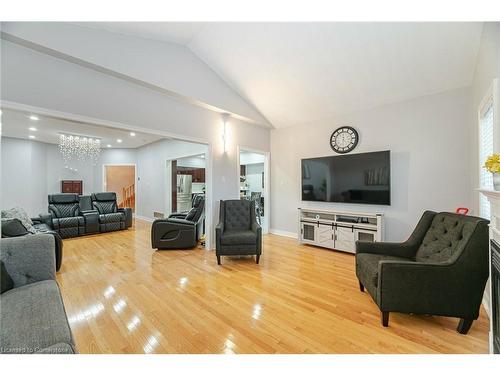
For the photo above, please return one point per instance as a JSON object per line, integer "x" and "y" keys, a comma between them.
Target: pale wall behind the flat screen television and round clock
{"x": 430, "y": 148}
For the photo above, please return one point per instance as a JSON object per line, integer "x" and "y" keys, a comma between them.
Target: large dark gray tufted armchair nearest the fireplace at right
{"x": 441, "y": 269}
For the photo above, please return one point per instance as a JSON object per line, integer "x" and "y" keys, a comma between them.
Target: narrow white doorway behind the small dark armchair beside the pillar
{"x": 253, "y": 174}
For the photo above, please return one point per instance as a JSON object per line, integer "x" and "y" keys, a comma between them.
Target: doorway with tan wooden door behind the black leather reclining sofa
{"x": 121, "y": 180}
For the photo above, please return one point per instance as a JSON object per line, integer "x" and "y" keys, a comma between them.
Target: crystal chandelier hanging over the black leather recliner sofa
{"x": 81, "y": 148}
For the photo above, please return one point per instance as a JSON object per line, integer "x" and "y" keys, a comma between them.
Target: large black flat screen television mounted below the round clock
{"x": 354, "y": 178}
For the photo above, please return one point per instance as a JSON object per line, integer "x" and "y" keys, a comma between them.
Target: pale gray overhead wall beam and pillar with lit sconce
{"x": 36, "y": 79}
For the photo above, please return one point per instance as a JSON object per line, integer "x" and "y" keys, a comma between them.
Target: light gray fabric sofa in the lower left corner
{"x": 33, "y": 318}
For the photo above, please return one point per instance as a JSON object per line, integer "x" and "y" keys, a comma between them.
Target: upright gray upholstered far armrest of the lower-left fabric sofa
{"x": 29, "y": 259}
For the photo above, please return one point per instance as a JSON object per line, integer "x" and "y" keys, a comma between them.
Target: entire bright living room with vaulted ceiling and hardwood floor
{"x": 250, "y": 187}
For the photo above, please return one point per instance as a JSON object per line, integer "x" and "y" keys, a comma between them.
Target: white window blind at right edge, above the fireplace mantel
{"x": 485, "y": 150}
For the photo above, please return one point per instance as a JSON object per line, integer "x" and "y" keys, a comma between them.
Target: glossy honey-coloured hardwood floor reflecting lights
{"x": 121, "y": 296}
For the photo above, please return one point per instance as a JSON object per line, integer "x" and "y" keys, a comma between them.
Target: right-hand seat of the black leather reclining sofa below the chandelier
{"x": 111, "y": 217}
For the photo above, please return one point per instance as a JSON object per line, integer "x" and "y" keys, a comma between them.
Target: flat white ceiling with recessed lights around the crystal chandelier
{"x": 16, "y": 124}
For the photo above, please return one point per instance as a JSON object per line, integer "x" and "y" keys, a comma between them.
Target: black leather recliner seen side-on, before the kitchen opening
{"x": 179, "y": 230}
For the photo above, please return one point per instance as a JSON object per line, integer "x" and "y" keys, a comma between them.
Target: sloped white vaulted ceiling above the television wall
{"x": 296, "y": 73}
